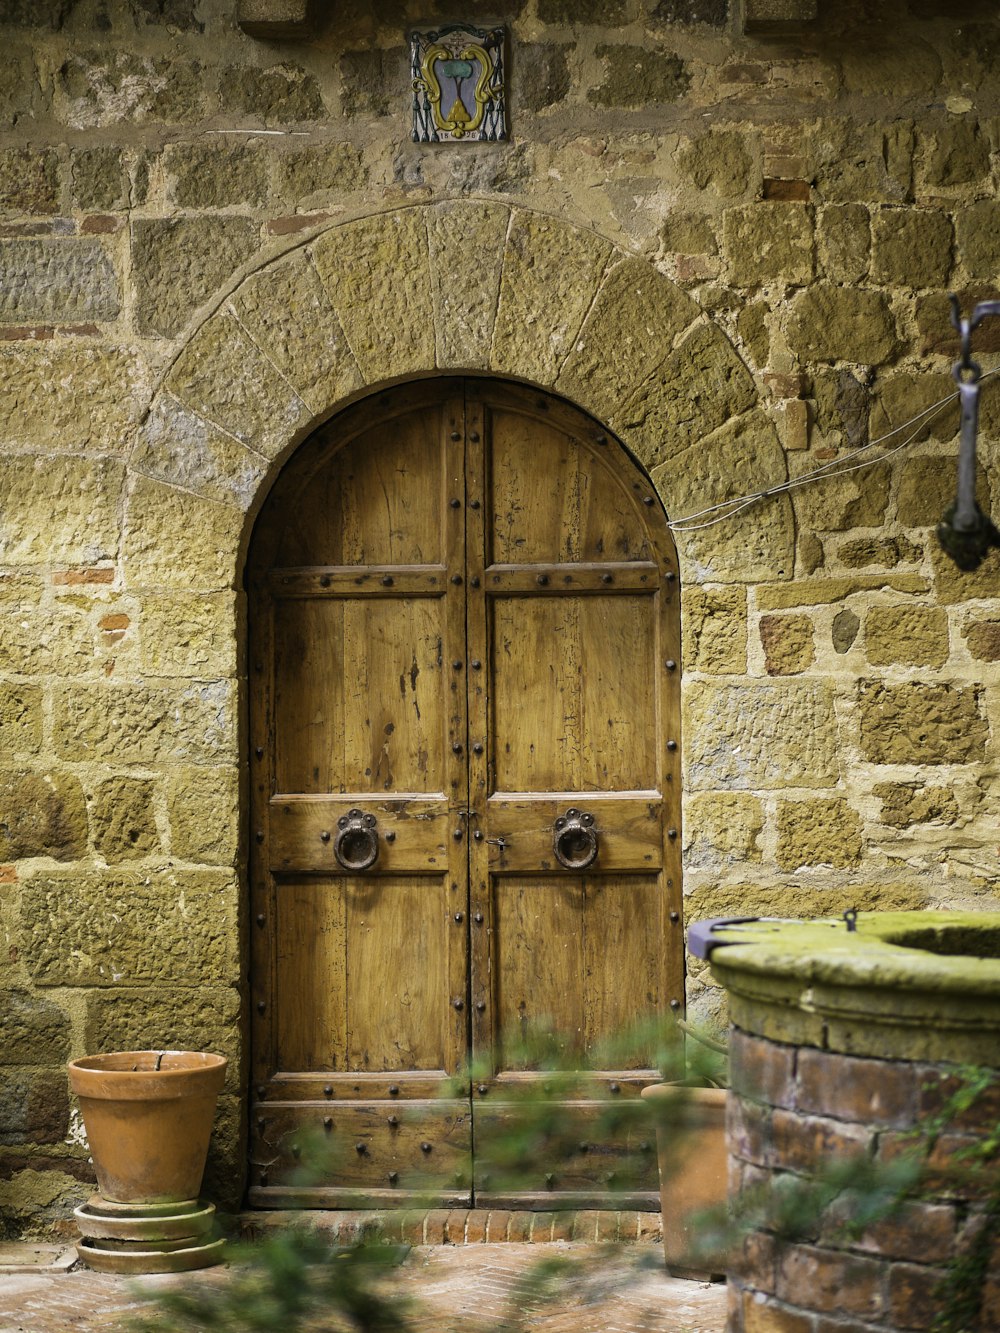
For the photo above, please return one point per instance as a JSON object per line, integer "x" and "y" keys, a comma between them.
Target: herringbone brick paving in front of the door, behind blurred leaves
{"x": 458, "y": 1290}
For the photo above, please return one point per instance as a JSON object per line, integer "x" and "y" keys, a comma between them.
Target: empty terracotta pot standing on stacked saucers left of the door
{"x": 149, "y": 1119}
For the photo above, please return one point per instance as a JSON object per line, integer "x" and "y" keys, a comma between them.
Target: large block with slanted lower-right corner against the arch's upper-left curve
{"x": 178, "y": 263}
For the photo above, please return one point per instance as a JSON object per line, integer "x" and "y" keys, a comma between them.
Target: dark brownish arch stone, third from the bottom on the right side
{"x": 698, "y": 389}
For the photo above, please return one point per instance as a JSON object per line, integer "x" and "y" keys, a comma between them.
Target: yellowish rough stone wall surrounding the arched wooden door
{"x": 733, "y": 249}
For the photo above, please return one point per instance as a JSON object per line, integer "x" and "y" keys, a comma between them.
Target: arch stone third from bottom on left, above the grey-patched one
{"x": 225, "y": 377}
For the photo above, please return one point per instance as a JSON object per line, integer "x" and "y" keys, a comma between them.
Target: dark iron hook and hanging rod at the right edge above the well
{"x": 966, "y": 533}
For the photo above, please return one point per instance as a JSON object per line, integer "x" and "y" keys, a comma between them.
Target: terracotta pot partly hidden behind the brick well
{"x": 693, "y": 1159}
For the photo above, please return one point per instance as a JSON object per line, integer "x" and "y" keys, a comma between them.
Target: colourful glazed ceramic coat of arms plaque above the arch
{"x": 459, "y": 90}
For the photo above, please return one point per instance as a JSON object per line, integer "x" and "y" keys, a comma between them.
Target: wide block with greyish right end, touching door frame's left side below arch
{"x": 143, "y": 723}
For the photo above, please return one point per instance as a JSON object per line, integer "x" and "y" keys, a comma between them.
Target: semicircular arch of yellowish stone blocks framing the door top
{"x": 450, "y": 287}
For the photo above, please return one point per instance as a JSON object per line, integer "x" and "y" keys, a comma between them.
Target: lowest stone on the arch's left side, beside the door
{"x": 155, "y": 514}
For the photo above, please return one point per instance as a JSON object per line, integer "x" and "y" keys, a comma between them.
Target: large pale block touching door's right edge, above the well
{"x": 761, "y": 736}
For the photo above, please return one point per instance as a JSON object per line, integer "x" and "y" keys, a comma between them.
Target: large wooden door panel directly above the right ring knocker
{"x": 574, "y": 694}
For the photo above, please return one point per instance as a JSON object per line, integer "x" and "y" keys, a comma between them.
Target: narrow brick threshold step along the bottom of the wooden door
{"x": 463, "y": 1226}
